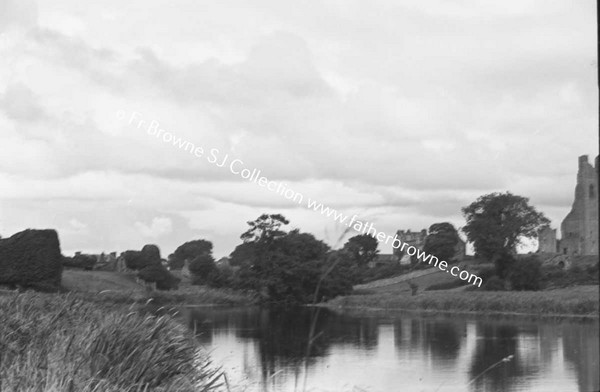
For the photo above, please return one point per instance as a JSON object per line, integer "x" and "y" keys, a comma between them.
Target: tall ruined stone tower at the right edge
{"x": 579, "y": 229}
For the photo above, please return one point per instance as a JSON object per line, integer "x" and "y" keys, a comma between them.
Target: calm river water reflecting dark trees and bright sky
{"x": 264, "y": 350}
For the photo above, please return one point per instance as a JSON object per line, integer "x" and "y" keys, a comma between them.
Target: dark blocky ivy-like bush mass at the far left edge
{"x": 31, "y": 258}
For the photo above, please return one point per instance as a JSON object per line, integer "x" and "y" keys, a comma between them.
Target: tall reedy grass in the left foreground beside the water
{"x": 58, "y": 342}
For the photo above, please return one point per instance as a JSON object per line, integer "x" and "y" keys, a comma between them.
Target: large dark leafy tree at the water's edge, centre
{"x": 288, "y": 268}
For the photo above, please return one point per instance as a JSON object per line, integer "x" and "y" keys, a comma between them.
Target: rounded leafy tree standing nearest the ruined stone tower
{"x": 497, "y": 222}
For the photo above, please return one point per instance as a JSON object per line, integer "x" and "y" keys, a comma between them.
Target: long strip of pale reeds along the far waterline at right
{"x": 575, "y": 301}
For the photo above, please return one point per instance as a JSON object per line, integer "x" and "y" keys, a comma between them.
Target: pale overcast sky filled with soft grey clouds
{"x": 399, "y": 111}
